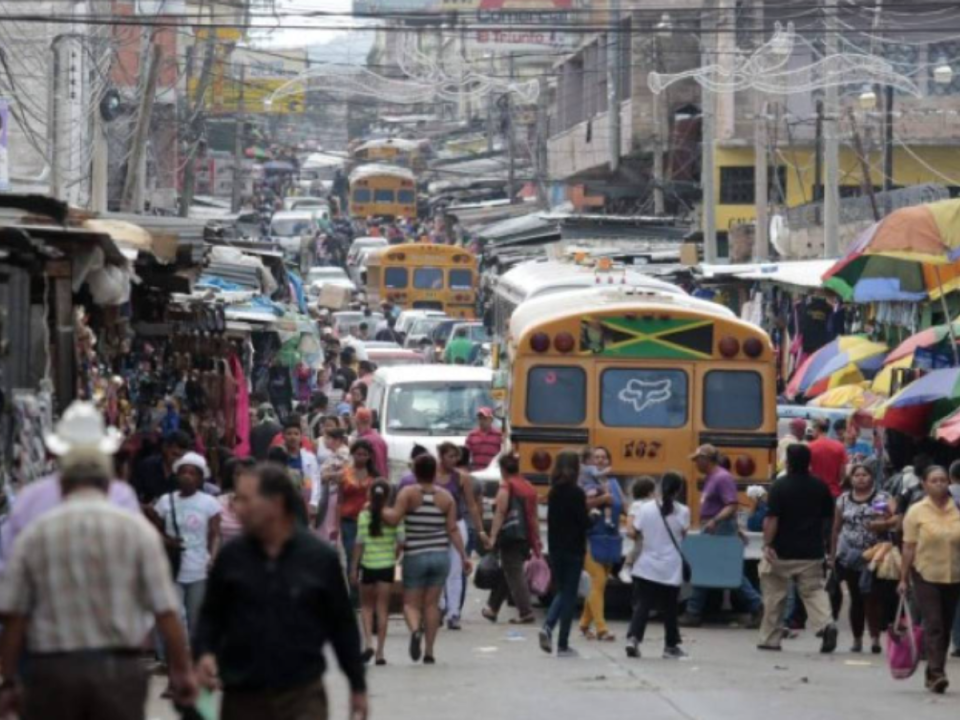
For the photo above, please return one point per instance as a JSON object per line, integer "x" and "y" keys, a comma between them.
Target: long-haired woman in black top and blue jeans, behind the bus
{"x": 567, "y": 523}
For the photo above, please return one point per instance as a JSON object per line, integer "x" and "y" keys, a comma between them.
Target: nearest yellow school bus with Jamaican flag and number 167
{"x": 649, "y": 375}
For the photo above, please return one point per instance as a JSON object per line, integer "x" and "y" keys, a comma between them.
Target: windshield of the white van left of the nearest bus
{"x": 448, "y": 408}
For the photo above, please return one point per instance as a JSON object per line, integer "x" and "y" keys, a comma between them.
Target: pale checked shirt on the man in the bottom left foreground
{"x": 88, "y": 575}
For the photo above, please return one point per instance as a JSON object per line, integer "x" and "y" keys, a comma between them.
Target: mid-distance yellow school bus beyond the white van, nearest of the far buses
{"x": 424, "y": 276}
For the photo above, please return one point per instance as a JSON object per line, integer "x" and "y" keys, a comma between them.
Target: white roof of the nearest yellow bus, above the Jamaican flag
{"x": 582, "y": 302}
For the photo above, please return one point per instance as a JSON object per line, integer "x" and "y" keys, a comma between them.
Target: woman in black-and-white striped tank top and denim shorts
{"x": 429, "y": 514}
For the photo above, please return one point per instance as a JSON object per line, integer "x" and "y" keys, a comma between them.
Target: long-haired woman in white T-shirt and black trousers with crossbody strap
{"x": 658, "y": 572}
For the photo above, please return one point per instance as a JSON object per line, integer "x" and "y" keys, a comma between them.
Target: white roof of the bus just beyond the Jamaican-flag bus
{"x": 536, "y": 278}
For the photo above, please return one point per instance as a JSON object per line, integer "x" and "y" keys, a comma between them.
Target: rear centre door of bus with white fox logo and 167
{"x": 644, "y": 416}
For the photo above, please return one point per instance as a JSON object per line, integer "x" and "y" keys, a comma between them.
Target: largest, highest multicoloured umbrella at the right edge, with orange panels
{"x": 910, "y": 255}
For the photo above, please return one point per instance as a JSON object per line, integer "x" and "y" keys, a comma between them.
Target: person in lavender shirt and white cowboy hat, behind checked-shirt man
{"x": 81, "y": 428}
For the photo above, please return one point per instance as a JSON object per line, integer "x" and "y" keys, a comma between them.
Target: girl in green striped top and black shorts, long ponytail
{"x": 372, "y": 567}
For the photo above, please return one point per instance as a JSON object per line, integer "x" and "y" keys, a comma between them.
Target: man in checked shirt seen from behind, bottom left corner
{"x": 79, "y": 591}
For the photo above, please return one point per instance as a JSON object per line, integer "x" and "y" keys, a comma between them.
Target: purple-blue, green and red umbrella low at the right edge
{"x": 931, "y": 397}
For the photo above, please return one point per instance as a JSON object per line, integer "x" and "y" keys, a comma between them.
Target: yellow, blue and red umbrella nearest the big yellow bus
{"x": 845, "y": 357}
